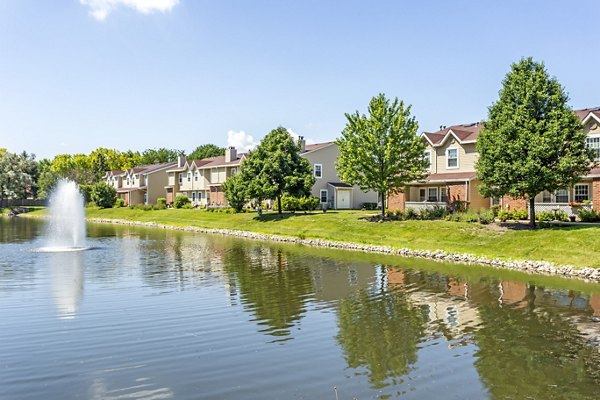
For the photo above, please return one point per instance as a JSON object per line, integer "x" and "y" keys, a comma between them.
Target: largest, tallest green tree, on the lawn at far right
{"x": 532, "y": 141}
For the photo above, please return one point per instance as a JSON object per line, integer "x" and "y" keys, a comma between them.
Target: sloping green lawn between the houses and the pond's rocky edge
{"x": 574, "y": 245}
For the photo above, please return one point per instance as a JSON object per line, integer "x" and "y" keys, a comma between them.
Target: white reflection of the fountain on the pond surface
{"x": 67, "y": 282}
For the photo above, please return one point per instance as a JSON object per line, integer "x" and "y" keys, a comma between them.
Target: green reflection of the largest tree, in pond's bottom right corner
{"x": 534, "y": 352}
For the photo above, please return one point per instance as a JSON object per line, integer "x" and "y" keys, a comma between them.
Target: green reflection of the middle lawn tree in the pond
{"x": 380, "y": 332}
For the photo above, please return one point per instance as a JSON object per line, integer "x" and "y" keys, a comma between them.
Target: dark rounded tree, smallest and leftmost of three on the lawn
{"x": 275, "y": 168}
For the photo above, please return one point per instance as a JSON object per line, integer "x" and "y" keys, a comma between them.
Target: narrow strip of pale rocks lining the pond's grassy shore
{"x": 529, "y": 266}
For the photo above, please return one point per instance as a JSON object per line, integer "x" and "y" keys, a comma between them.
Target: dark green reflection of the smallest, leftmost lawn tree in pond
{"x": 272, "y": 286}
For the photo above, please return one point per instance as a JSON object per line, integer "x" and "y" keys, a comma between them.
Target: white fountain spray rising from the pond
{"x": 66, "y": 229}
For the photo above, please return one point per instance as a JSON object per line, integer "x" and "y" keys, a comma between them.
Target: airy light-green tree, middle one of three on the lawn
{"x": 381, "y": 152}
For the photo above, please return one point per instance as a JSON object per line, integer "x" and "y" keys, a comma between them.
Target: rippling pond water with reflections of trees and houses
{"x": 155, "y": 314}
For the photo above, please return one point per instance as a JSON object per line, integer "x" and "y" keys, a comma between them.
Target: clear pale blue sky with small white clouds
{"x": 137, "y": 74}
